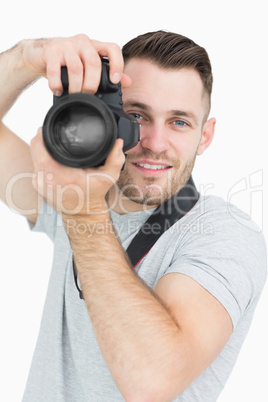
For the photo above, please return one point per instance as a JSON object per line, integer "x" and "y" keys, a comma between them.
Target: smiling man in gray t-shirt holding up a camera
{"x": 171, "y": 328}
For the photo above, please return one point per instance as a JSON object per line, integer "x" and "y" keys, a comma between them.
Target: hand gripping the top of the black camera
{"x": 81, "y": 55}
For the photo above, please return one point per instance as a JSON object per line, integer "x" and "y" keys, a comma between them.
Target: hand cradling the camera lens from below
{"x": 73, "y": 191}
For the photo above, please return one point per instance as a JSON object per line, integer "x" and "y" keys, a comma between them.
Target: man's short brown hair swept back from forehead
{"x": 171, "y": 50}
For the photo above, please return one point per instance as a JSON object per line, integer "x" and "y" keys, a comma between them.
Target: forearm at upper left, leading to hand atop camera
{"x": 14, "y": 76}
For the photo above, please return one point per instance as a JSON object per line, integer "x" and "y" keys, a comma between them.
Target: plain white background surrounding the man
{"x": 235, "y": 167}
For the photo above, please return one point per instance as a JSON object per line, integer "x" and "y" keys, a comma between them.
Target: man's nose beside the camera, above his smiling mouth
{"x": 154, "y": 138}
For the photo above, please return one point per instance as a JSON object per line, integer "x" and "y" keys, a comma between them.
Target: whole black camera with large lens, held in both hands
{"x": 80, "y": 129}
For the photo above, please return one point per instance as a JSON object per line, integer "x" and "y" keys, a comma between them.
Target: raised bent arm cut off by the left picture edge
{"x": 15, "y": 158}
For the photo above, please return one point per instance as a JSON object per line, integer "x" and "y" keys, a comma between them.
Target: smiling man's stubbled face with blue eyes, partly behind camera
{"x": 170, "y": 106}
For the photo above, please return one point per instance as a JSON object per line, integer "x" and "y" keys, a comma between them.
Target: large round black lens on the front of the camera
{"x": 79, "y": 131}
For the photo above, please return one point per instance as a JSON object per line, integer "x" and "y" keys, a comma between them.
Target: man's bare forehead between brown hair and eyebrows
{"x": 165, "y": 89}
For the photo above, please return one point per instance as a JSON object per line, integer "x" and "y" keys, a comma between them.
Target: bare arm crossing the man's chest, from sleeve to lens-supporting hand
{"x": 154, "y": 343}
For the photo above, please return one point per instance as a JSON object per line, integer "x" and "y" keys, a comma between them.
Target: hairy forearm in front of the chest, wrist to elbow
{"x": 138, "y": 337}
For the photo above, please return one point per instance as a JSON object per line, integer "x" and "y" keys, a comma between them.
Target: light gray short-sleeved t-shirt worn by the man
{"x": 215, "y": 244}
